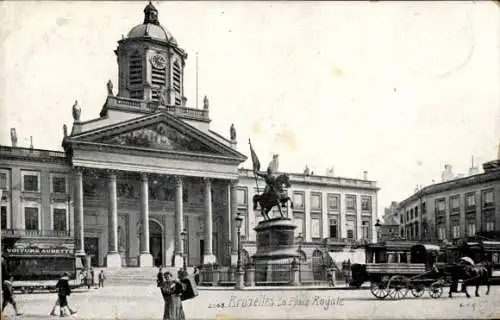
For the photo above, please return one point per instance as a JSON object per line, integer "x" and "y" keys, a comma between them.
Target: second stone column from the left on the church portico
{"x": 113, "y": 258}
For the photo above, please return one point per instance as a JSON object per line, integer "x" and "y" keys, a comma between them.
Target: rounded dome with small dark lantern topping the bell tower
{"x": 151, "y": 27}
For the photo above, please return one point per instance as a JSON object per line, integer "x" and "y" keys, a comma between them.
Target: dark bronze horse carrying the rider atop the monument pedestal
{"x": 273, "y": 196}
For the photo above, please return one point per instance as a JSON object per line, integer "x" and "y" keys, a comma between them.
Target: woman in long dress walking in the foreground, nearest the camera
{"x": 171, "y": 291}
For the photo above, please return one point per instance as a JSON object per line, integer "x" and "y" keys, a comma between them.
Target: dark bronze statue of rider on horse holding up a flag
{"x": 274, "y": 193}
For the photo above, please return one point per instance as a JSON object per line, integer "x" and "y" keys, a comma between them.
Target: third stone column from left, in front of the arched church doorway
{"x": 145, "y": 257}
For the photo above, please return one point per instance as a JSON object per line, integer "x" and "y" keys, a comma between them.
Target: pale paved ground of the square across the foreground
{"x": 146, "y": 303}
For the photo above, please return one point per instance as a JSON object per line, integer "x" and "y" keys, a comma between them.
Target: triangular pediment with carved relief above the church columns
{"x": 161, "y": 132}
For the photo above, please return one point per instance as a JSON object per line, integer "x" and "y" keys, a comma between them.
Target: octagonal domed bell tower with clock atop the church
{"x": 150, "y": 63}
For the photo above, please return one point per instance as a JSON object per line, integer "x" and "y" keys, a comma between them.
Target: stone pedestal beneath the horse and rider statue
{"x": 275, "y": 250}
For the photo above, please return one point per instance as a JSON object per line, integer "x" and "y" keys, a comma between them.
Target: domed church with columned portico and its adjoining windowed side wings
{"x": 148, "y": 182}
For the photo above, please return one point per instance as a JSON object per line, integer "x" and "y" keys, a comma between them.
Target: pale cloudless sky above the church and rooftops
{"x": 398, "y": 89}
